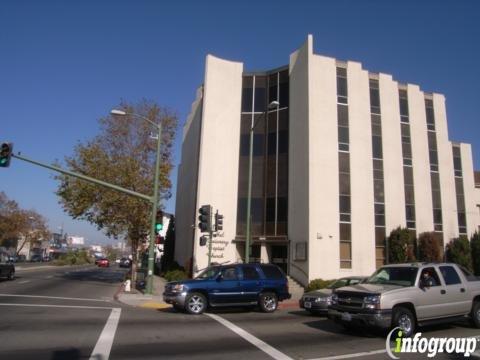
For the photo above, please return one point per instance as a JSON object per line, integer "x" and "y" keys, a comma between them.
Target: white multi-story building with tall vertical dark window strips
{"x": 341, "y": 156}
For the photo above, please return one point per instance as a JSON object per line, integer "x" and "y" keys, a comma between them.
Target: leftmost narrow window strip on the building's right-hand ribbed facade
{"x": 344, "y": 170}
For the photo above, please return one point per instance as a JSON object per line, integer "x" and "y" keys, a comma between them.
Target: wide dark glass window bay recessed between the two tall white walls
{"x": 270, "y": 155}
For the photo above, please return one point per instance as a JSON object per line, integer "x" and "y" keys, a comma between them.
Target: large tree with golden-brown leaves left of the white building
{"x": 122, "y": 154}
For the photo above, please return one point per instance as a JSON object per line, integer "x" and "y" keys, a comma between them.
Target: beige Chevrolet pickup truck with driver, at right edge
{"x": 409, "y": 295}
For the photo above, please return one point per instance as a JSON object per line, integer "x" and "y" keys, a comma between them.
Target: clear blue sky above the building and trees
{"x": 64, "y": 64}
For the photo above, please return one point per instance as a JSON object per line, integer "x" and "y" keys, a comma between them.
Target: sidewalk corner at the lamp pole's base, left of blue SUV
{"x": 138, "y": 299}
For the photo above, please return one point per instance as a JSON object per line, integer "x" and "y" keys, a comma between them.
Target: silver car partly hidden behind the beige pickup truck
{"x": 317, "y": 301}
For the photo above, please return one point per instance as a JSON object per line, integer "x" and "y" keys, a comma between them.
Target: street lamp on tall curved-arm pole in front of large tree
{"x": 154, "y": 198}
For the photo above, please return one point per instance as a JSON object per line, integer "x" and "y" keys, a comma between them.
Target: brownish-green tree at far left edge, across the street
{"x": 19, "y": 227}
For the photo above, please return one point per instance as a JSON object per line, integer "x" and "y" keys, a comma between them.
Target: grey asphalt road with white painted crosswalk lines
{"x": 69, "y": 313}
